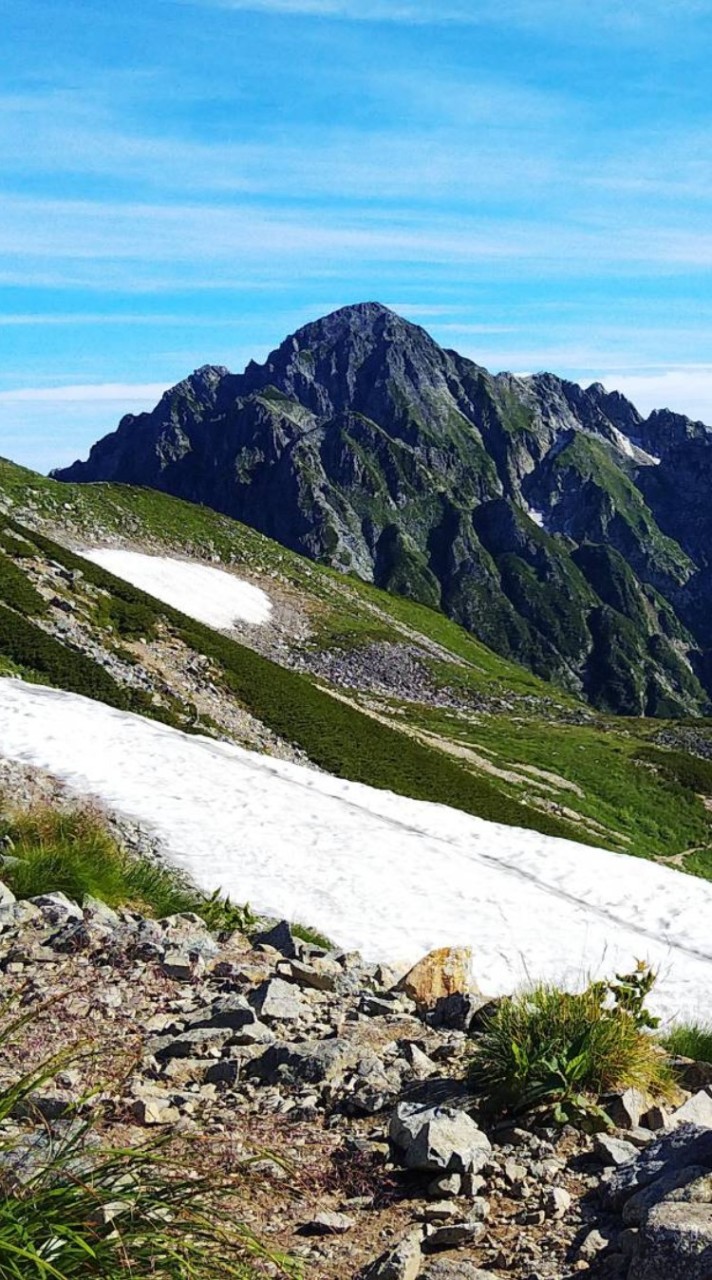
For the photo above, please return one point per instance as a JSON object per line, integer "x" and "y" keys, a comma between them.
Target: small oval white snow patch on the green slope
{"x": 204, "y": 593}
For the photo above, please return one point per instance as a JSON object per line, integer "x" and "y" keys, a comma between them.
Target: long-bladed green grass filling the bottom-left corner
{"x": 83, "y": 1210}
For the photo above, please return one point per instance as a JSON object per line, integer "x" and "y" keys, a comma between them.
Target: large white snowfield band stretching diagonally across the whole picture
{"x": 375, "y": 871}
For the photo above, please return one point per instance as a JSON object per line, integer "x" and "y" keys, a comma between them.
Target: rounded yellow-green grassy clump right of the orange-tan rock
{"x": 564, "y": 1052}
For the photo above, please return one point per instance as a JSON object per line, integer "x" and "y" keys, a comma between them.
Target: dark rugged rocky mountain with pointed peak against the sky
{"x": 556, "y": 524}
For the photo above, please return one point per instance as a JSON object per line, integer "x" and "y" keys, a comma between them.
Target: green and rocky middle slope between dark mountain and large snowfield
{"x": 492, "y": 739}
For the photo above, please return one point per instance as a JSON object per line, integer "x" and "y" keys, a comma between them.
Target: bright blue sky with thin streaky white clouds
{"x": 188, "y": 181}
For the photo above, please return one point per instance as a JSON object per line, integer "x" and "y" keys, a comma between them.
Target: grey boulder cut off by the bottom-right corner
{"x": 676, "y": 1244}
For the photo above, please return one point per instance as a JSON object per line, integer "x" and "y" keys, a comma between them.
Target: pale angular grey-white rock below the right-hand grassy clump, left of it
{"x": 439, "y": 1139}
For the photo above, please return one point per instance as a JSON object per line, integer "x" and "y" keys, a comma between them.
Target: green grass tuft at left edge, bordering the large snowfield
{"x": 72, "y": 853}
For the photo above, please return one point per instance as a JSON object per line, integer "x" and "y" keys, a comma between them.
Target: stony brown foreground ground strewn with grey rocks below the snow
{"x": 349, "y": 1087}
